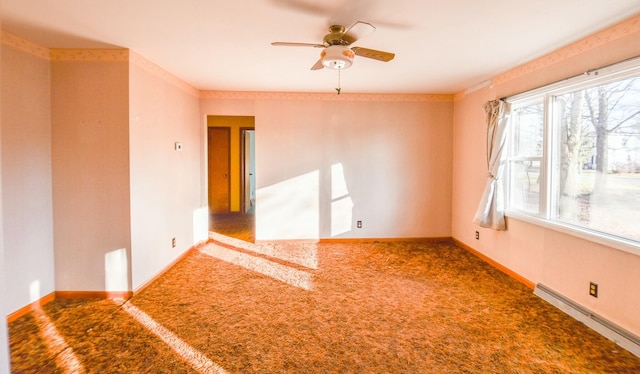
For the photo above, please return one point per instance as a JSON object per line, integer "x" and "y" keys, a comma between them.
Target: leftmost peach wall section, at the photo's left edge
{"x": 27, "y": 179}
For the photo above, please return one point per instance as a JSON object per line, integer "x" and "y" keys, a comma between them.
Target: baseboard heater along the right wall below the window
{"x": 619, "y": 335}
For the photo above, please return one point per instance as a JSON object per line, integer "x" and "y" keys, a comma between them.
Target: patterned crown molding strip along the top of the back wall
{"x": 254, "y": 95}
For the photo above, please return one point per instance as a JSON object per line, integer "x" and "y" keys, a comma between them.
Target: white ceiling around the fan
{"x": 441, "y": 46}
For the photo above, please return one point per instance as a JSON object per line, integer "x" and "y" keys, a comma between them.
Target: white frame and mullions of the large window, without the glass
{"x": 617, "y": 71}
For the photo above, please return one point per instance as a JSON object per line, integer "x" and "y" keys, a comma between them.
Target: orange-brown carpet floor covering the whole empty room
{"x": 234, "y": 306}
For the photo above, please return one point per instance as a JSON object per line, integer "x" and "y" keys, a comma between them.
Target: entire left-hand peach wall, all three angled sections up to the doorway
{"x": 68, "y": 124}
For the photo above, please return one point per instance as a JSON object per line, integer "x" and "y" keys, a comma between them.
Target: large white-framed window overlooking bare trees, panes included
{"x": 574, "y": 154}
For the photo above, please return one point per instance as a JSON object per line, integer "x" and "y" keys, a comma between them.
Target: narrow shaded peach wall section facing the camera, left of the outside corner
{"x": 90, "y": 157}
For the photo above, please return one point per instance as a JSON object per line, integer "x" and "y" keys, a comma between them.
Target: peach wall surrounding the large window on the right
{"x": 562, "y": 262}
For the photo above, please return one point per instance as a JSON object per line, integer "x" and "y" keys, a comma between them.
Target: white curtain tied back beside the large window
{"x": 490, "y": 211}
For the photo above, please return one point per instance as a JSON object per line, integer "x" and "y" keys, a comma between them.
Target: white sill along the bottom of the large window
{"x": 624, "y": 245}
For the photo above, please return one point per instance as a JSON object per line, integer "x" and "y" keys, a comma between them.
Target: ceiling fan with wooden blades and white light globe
{"x": 337, "y": 52}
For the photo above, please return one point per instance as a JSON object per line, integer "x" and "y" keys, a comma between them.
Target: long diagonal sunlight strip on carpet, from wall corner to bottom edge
{"x": 196, "y": 359}
